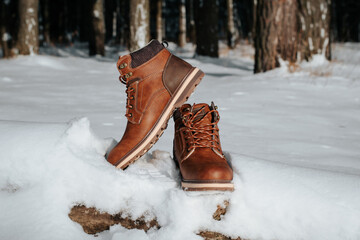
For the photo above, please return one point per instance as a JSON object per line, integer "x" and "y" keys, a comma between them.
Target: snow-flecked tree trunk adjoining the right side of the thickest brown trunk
{"x": 314, "y": 21}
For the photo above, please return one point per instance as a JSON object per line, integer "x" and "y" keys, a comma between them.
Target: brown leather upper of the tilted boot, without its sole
{"x": 148, "y": 94}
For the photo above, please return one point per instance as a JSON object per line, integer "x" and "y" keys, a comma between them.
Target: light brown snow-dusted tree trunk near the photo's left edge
{"x": 28, "y": 35}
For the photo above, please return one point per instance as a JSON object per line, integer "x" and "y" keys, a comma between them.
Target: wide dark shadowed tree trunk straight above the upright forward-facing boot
{"x": 207, "y": 28}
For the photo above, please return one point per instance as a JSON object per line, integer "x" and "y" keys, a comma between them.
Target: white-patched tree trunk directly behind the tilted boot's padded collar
{"x": 139, "y": 24}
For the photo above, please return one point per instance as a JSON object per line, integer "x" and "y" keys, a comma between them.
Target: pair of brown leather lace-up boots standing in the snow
{"x": 157, "y": 84}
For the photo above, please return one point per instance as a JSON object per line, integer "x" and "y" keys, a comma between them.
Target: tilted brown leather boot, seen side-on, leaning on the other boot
{"x": 156, "y": 83}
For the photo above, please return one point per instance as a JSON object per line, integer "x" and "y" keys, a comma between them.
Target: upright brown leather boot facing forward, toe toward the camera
{"x": 197, "y": 149}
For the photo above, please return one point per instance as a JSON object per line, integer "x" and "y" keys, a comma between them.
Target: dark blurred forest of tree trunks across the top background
{"x": 292, "y": 30}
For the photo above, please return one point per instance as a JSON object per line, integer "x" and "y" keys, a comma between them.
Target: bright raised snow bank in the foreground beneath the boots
{"x": 48, "y": 168}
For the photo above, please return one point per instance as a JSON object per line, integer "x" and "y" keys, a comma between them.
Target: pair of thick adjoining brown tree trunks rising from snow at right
{"x": 291, "y": 30}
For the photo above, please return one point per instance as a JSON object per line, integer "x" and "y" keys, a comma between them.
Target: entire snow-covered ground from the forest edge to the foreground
{"x": 293, "y": 139}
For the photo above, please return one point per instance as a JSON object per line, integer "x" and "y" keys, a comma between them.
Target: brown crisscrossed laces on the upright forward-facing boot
{"x": 199, "y": 134}
